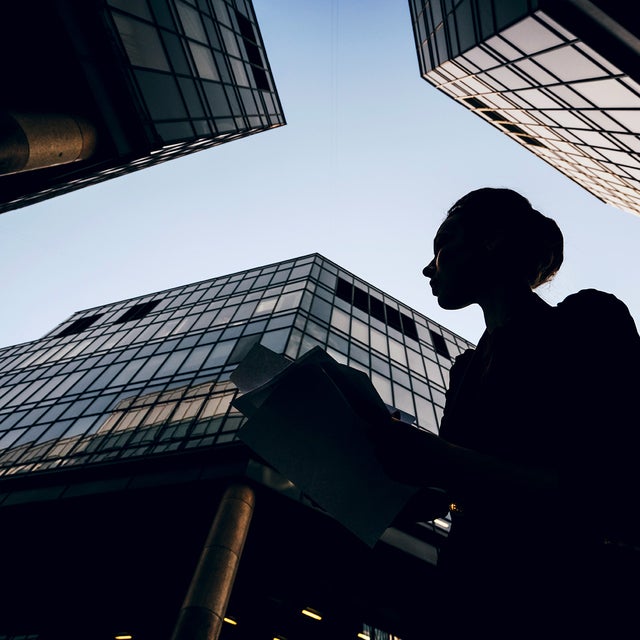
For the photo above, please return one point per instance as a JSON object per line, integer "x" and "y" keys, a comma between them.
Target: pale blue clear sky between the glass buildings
{"x": 363, "y": 172}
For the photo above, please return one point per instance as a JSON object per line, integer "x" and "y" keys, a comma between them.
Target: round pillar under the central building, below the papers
{"x": 203, "y": 609}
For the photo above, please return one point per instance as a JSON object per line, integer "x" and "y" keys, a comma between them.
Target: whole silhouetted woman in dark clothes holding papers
{"x": 537, "y": 449}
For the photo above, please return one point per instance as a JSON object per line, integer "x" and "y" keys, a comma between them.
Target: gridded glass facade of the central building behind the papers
{"x": 150, "y": 375}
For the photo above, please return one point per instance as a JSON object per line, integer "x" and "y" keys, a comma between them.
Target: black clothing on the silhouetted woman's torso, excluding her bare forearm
{"x": 556, "y": 389}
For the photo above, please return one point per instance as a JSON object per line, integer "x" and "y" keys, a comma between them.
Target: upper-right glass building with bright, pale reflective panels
{"x": 527, "y": 70}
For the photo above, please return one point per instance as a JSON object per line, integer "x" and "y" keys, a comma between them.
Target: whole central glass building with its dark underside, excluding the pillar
{"x": 118, "y": 439}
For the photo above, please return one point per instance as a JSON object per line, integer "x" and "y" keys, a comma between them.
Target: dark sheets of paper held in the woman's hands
{"x": 308, "y": 420}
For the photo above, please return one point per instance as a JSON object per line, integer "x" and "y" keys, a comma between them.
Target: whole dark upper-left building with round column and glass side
{"x": 95, "y": 89}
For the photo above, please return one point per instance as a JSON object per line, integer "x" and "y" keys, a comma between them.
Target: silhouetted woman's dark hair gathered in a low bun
{"x": 532, "y": 242}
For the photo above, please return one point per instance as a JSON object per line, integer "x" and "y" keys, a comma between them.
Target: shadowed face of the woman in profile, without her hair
{"x": 455, "y": 273}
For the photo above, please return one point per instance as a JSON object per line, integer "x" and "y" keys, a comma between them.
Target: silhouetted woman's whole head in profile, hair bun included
{"x": 492, "y": 234}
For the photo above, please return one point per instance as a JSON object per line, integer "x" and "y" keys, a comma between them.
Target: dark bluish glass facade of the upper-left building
{"x": 199, "y": 69}
